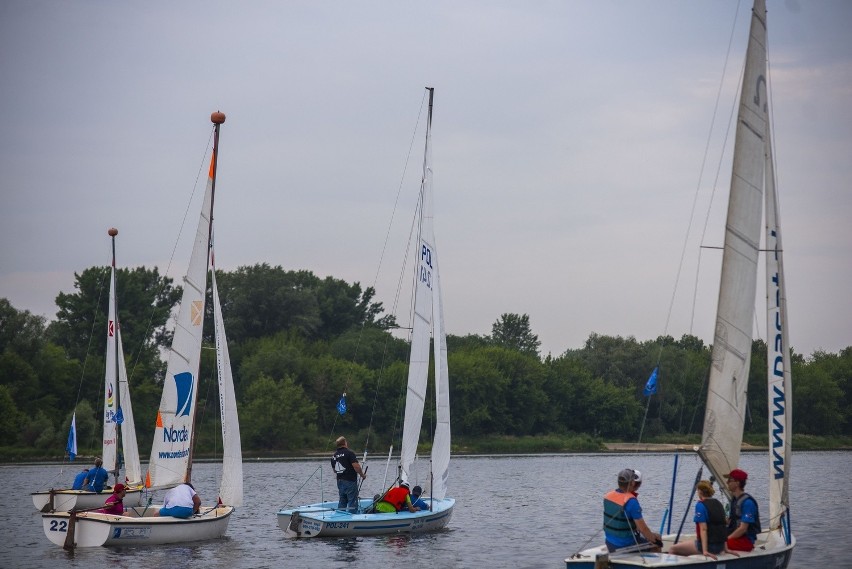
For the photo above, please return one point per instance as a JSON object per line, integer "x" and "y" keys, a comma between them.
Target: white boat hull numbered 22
{"x": 95, "y": 530}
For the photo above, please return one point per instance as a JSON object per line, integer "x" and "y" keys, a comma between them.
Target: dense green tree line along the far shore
{"x": 298, "y": 342}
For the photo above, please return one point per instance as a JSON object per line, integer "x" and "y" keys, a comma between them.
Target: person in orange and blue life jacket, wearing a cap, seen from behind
{"x": 623, "y": 523}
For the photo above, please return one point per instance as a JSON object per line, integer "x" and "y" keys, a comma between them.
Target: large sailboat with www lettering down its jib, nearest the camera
{"x": 752, "y": 182}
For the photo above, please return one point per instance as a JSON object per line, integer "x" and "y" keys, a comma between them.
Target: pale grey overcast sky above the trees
{"x": 568, "y": 144}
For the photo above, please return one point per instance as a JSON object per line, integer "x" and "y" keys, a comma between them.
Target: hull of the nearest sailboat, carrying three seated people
{"x": 770, "y": 552}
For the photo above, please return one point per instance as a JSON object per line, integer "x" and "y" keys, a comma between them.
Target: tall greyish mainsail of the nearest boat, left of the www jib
{"x": 726, "y": 400}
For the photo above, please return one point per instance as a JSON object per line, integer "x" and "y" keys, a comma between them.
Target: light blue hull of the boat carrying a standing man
{"x": 324, "y": 520}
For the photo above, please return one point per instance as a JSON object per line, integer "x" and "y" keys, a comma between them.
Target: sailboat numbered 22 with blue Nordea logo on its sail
{"x": 174, "y": 434}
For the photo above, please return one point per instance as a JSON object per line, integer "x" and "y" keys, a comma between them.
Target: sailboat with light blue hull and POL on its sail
{"x": 324, "y": 519}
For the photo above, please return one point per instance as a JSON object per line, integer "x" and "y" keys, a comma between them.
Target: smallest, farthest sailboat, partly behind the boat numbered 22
{"x": 118, "y": 423}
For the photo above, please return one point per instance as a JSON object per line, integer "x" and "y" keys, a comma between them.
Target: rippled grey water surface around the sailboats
{"x": 511, "y": 511}
